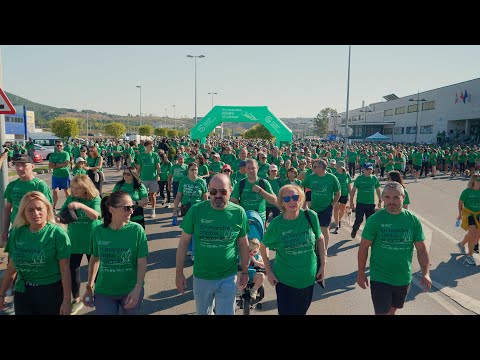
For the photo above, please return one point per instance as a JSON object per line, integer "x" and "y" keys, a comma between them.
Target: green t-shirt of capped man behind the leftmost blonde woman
{"x": 18, "y": 188}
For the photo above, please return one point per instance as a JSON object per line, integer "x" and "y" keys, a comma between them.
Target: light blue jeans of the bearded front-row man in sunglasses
{"x": 222, "y": 291}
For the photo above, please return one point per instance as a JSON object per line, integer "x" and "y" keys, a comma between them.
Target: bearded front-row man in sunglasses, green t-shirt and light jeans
{"x": 220, "y": 230}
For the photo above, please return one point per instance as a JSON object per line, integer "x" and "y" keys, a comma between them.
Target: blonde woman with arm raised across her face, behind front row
{"x": 85, "y": 201}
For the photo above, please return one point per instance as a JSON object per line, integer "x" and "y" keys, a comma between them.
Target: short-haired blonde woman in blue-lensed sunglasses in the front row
{"x": 295, "y": 240}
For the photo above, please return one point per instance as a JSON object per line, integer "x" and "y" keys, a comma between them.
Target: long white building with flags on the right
{"x": 454, "y": 109}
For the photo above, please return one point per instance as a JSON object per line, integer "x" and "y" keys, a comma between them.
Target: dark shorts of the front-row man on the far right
{"x": 386, "y": 296}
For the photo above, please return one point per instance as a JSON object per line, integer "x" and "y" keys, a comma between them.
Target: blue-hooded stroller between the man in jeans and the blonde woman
{"x": 256, "y": 230}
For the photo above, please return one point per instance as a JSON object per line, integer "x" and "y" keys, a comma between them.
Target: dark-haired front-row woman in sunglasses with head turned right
{"x": 120, "y": 245}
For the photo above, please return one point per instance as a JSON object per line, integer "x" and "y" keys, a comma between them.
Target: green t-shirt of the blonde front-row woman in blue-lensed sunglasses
{"x": 294, "y": 243}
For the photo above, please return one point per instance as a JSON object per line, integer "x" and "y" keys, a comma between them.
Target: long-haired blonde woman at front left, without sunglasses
{"x": 40, "y": 257}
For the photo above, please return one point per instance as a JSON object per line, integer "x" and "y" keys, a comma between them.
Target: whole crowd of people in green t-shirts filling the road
{"x": 301, "y": 191}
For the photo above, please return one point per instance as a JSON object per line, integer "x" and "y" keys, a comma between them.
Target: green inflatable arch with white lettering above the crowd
{"x": 253, "y": 114}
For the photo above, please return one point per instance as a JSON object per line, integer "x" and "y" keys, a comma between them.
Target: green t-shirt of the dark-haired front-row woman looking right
{"x": 118, "y": 251}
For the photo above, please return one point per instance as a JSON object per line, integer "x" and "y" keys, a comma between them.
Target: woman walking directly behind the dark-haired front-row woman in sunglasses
{"x": 132, "y": 185}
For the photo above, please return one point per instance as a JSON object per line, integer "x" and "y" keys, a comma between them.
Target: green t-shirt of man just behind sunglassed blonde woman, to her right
{"x": 323, "y": 190}
